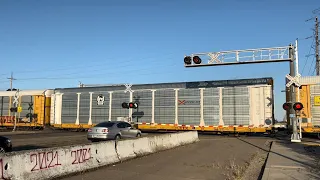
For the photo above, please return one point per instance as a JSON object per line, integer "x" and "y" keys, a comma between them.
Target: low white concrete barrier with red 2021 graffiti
{"x": 51, "y": 163}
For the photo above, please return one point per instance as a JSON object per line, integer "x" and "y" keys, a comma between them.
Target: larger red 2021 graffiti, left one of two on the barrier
{"x": 44, "y": 160}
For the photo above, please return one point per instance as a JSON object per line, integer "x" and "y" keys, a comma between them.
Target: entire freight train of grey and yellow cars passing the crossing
{"x": 225, "y": 106}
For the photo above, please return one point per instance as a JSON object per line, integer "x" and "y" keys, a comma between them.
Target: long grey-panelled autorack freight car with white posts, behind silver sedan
{"x": 242, "y": 105}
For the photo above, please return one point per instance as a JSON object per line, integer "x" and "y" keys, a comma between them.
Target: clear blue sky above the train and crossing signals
{"x": 49, "y": 44}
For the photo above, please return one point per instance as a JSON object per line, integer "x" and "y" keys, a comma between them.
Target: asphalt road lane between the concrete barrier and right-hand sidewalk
{"x": 214, "y": 157}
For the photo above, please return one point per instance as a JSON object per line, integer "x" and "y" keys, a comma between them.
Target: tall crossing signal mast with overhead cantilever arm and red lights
{"x": 254, "y": 56}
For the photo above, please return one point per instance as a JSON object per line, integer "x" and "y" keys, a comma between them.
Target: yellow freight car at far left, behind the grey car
{"x": 34, "y": 108}
